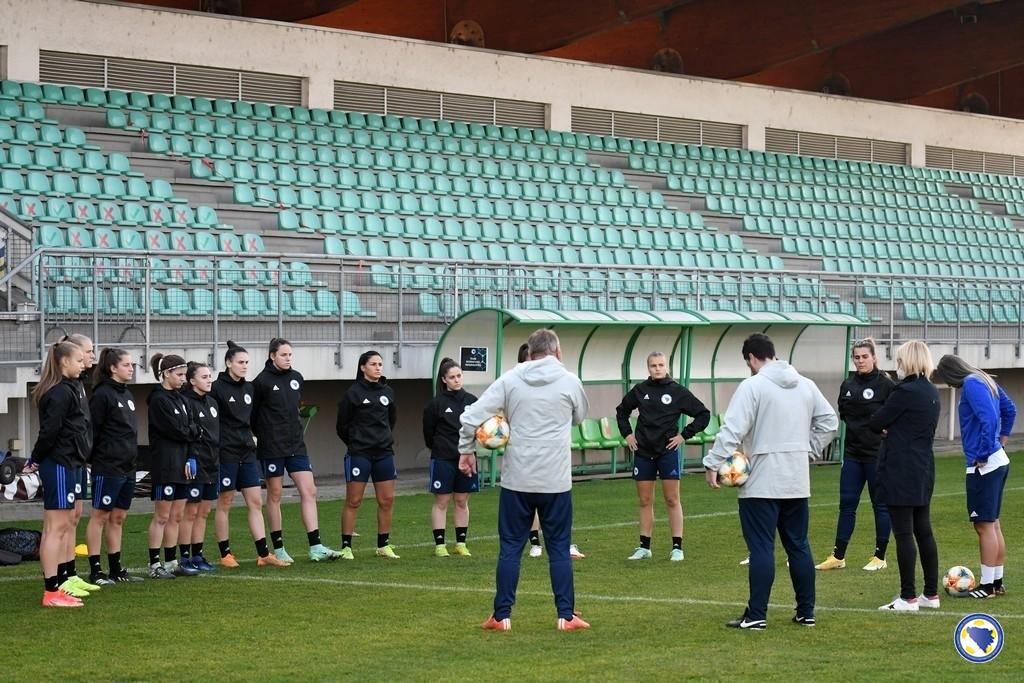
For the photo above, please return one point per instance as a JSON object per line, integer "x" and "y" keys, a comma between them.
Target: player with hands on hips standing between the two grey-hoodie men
{"x": 660, "y": 402}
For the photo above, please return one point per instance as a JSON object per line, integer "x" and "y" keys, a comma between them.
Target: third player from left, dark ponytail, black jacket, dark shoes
{"x": 115, "y": 449}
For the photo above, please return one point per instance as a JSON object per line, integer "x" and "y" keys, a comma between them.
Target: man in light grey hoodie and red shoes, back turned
{"x": 542, "y": 401}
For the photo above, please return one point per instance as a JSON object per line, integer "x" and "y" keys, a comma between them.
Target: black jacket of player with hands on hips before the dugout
{"x": 660, "y": 404}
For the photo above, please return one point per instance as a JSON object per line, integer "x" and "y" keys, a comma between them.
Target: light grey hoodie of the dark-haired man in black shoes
{"x": 781, "y": 420}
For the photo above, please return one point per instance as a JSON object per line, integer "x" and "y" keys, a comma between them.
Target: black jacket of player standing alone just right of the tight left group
{"x": 367, "y": 415}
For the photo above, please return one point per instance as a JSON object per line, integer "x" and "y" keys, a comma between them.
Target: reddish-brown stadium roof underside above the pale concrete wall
{"x": 945, "y": 54}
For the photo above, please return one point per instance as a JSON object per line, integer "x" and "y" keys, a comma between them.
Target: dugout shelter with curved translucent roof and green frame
{"x": 609, "y": 352}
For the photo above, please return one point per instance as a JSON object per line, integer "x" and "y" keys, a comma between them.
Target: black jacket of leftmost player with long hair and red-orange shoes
{"x": 65, "y": 433}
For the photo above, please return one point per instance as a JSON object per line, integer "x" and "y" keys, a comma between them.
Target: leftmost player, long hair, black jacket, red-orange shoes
{"x": 61, "y": 451}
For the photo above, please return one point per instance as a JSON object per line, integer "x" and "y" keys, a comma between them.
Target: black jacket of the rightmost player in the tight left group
{"x": 275, "y": 419}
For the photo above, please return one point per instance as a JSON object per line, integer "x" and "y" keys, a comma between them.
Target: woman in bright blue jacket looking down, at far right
{"x": 987, "y": 415}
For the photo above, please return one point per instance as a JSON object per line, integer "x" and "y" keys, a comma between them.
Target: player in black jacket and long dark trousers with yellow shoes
{"x": 861, "y": 396}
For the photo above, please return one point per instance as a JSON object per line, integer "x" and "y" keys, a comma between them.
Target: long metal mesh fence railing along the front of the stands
{"x": 178, "y": 301}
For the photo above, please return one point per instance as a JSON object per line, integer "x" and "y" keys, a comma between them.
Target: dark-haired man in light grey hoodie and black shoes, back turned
{"x": 781, "y": 421}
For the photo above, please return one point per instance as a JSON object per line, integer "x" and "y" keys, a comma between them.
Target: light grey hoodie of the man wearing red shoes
{"x": 542, "y": 401}
